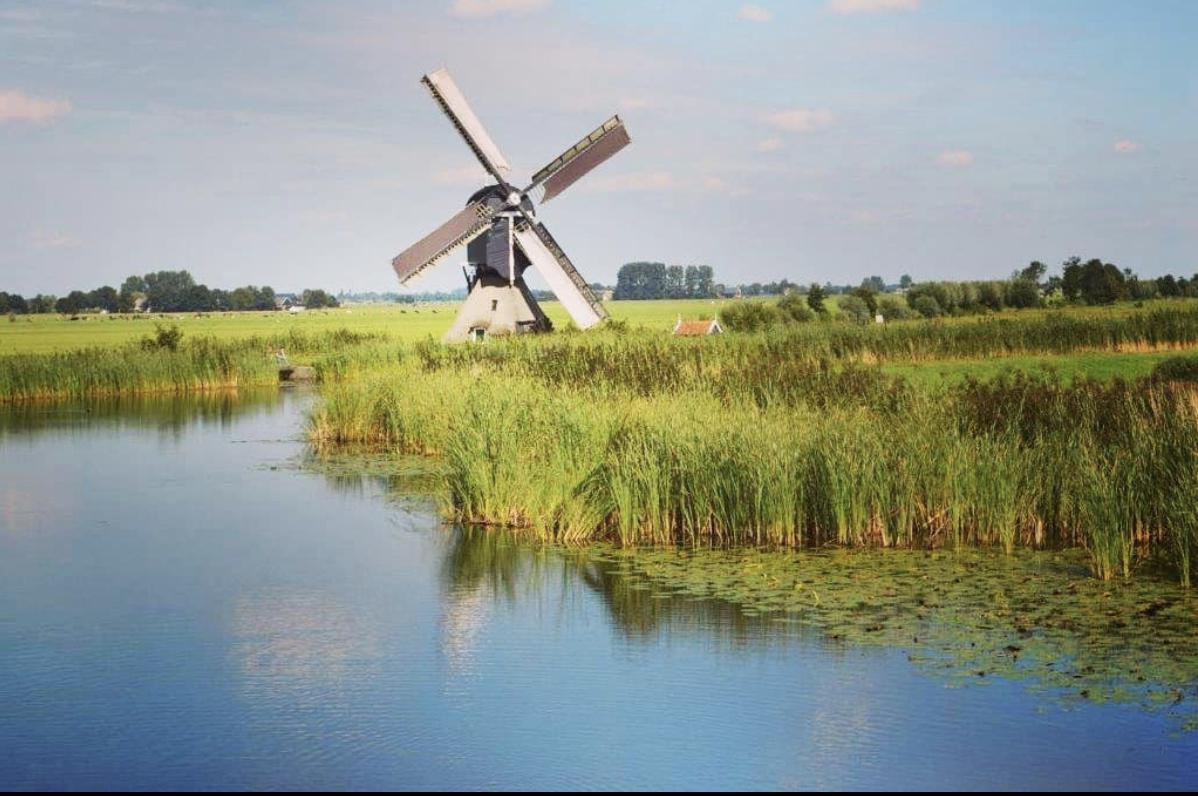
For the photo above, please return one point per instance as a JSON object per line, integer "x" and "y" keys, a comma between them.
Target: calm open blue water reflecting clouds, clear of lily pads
{"x": 180, "y": 608}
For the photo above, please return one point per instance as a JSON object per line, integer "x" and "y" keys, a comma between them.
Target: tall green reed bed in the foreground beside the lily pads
{"x": 736, "y": 442}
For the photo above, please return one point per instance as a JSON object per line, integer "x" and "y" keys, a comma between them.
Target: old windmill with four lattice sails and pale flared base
{"x": 503, "y": 237}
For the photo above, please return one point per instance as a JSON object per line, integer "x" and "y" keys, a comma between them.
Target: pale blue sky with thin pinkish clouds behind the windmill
{"x": 292, "y": 144}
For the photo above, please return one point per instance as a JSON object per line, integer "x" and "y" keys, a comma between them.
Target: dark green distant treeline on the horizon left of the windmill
{"x": 168, "y": 292}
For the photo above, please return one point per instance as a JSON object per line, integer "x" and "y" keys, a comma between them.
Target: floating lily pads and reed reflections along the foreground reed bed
{"x": 963, "y": 619}
